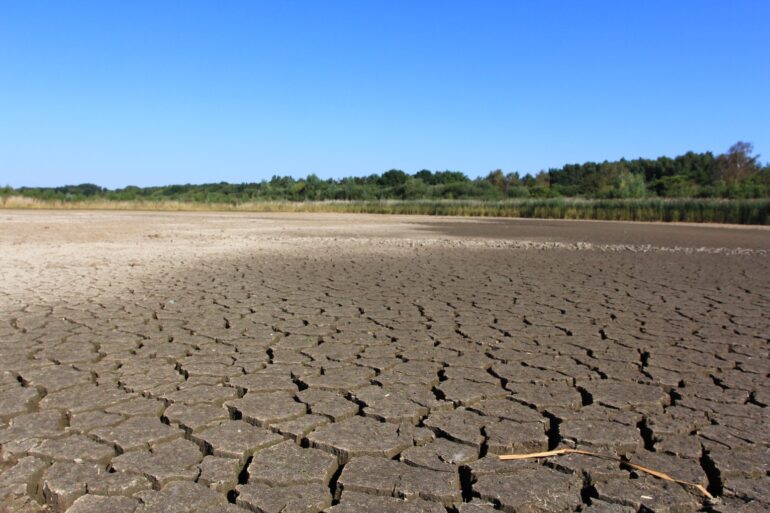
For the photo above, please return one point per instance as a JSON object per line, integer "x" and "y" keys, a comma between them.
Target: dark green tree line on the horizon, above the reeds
{"x": 736, "y": 173}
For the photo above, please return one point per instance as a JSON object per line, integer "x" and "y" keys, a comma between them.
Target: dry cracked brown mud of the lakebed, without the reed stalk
{"x": 308, "y": 363}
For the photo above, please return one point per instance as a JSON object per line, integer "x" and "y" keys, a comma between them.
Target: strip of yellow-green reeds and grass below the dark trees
{"x": 694, "y": 210}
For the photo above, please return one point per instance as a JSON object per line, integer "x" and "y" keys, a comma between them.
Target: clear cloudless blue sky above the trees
{"x": 159, "y": 92}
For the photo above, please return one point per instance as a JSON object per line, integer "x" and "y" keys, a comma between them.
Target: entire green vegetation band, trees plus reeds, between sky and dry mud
{"x": 696, "y": 187}
